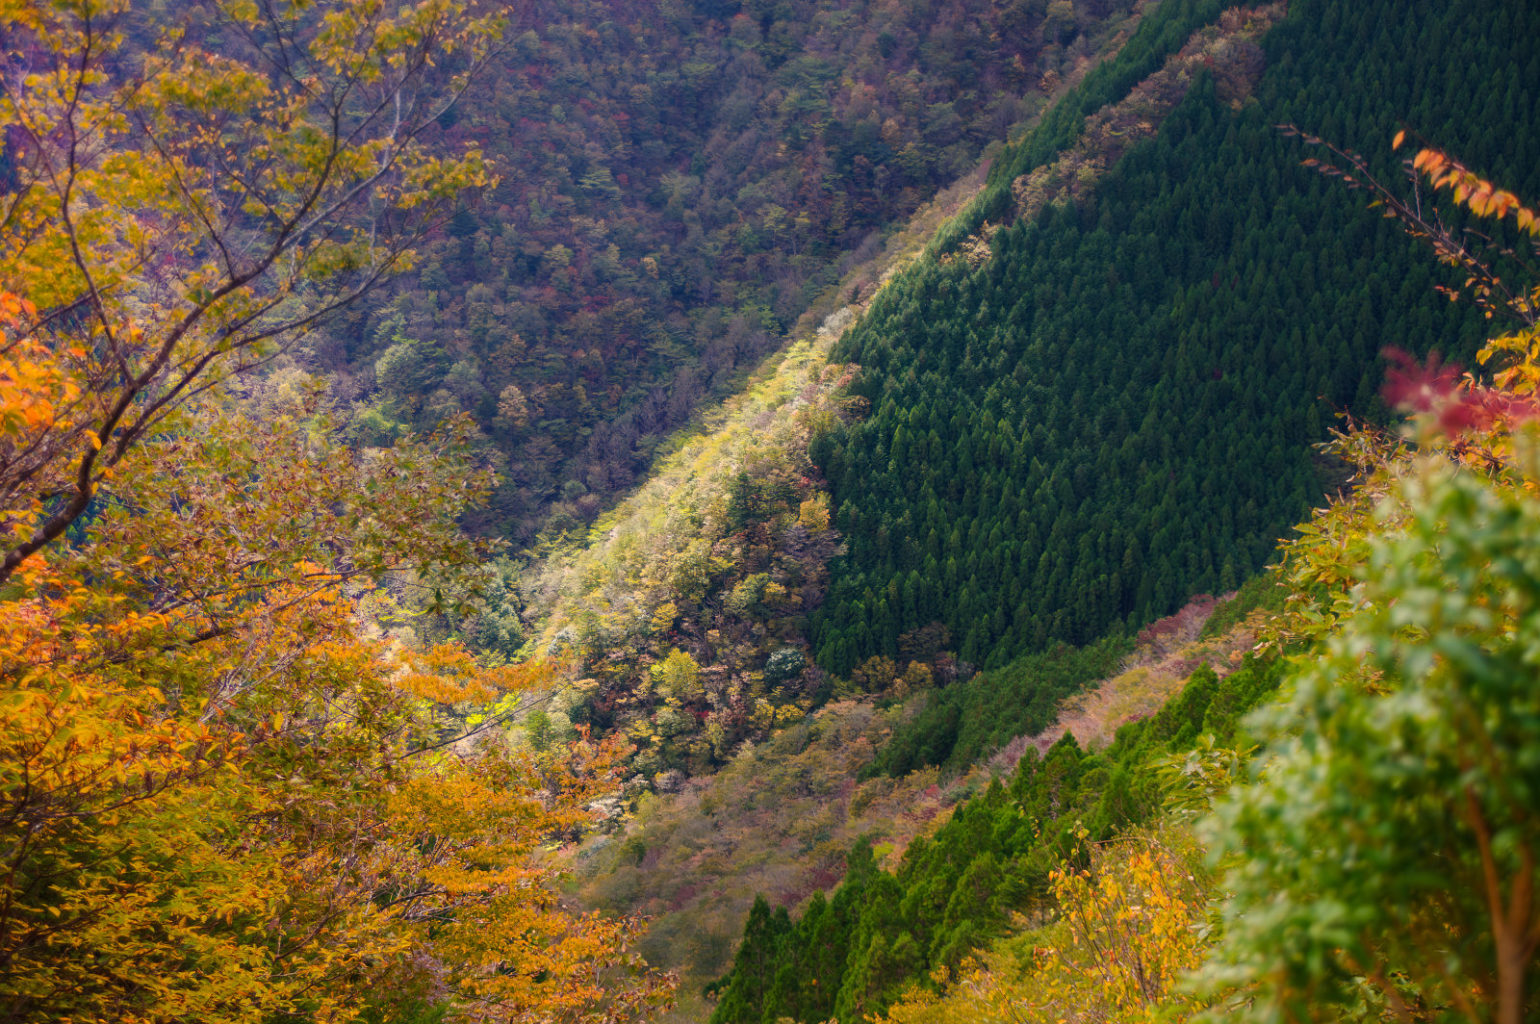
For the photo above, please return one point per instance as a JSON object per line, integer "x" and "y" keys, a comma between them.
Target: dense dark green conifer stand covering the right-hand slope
{"x": 1111, "y": 407}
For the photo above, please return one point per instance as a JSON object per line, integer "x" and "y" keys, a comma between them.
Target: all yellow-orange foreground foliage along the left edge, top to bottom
{"x": 226, "y": 794}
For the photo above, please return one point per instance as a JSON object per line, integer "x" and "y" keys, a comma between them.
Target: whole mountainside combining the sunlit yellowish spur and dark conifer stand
{"x": 1062, "y": 427}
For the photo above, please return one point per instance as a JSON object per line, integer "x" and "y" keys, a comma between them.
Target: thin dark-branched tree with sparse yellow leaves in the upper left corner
{"x": 192, "y": 198}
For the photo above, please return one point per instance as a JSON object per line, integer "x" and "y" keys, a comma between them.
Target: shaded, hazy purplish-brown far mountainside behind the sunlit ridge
{"x": 678, "y": 181}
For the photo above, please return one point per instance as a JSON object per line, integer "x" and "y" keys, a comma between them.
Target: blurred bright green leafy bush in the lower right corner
{"x": 1391, "y": 837}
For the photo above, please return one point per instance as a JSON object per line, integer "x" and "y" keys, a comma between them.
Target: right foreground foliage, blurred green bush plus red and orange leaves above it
{"x": 1387, "y": 854}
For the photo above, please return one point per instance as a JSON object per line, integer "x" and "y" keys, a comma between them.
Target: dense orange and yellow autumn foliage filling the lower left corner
{"x": 226, "y": 797}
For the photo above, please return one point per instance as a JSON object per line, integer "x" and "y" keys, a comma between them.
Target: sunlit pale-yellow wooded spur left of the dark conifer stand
{"x": 685, "y": 611}
